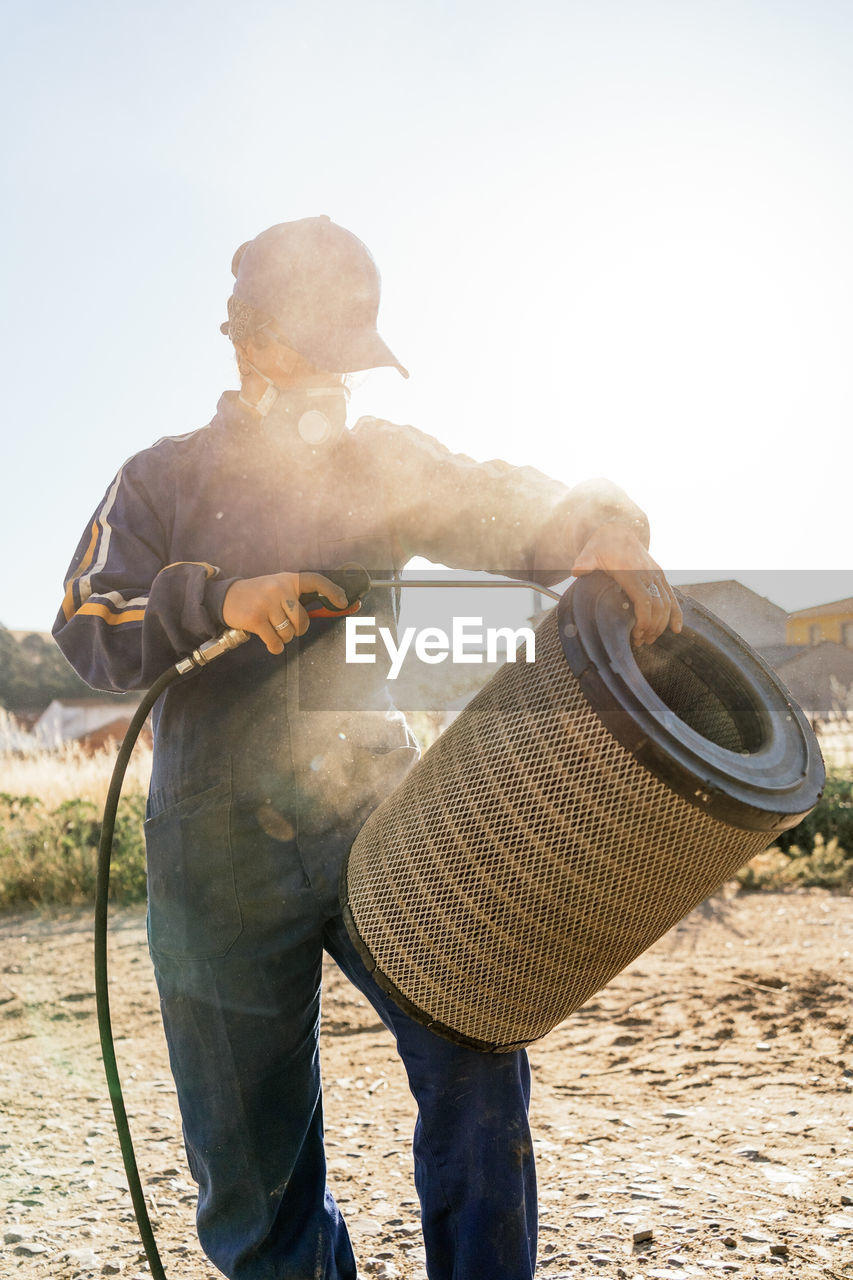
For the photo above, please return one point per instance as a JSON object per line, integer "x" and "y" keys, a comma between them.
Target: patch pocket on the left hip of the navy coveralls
{"x": 194, "y": 912}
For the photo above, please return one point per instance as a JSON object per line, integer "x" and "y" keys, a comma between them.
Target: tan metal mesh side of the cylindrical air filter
{"x": 527, "y": 861}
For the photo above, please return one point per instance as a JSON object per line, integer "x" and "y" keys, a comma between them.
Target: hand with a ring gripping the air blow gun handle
{"x": 270, "y": 607}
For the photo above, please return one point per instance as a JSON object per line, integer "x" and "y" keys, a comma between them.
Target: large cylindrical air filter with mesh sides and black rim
{"x": 576, "y": 811}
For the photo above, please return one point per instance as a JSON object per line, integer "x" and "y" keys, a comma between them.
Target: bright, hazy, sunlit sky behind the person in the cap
{"x": 615, "y": 240}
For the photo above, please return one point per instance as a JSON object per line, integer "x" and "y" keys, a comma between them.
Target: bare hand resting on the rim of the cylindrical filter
{"x": 617, "y": 550}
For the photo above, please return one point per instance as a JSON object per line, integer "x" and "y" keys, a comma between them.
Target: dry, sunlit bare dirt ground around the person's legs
{"x": 694, "y": 1119}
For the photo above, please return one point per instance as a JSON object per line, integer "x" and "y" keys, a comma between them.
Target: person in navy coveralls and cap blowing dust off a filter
{"x": 268, "y": 762}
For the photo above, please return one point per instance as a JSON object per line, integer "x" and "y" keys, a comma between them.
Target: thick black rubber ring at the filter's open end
{"x": 777, "y": 776}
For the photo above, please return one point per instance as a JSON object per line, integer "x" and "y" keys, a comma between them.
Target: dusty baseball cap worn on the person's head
{"x": 321, "y": 289}
